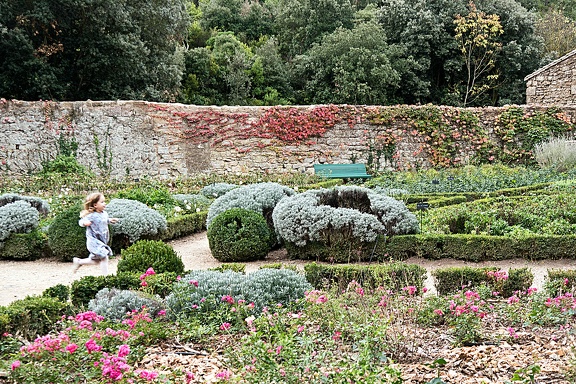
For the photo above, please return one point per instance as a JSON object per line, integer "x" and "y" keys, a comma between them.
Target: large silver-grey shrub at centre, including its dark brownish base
{"x": 340, "y": 224}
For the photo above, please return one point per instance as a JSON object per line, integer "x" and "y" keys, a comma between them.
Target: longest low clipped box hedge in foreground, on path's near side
{"x": 394, "y": 276}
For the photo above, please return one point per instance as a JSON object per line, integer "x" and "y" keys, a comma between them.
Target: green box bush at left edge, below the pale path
{"x": 33, "y": 315}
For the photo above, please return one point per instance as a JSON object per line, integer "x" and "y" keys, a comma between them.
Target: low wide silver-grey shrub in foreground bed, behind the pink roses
{"x": 264, "y": 288}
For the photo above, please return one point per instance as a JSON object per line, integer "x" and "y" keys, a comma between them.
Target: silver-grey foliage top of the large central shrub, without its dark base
{"x": 354, "y": 212}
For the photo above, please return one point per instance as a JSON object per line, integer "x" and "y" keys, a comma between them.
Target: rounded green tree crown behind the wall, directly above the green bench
{"x": 351, "y": 66}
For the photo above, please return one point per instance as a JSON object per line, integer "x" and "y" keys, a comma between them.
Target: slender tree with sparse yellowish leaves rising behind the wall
{"x": 477, "y": 35}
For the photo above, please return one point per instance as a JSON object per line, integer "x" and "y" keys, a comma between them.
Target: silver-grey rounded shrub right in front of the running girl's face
{"x": 137, "y": 220}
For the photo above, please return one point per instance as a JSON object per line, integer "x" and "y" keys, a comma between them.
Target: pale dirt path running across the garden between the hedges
{"x": 19, "y": 279}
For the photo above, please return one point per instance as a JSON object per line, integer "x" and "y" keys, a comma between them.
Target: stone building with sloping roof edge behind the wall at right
{"x": 553, "y": 84}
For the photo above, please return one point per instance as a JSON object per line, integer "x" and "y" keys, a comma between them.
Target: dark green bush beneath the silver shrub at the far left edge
{"x": 25, "y": 246}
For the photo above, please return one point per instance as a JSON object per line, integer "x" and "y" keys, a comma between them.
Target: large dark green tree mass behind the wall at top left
{"x": 127, "y": 50}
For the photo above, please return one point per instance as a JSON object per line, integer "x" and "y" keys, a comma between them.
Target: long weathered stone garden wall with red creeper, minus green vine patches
{"x": 135, "y": 139}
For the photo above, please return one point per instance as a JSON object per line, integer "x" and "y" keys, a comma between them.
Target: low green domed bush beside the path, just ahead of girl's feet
{"x": 153, "y": 254}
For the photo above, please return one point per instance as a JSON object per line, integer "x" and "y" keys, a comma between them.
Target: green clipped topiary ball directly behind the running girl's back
{"x": 65, "y": 237}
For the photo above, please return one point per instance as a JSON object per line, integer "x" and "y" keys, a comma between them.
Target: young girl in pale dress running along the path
{"x": 95, "y": 220}
